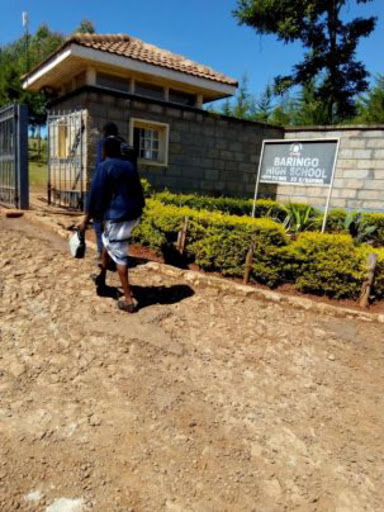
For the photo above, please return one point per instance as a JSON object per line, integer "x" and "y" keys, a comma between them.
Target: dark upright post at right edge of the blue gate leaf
{"x": 22, "y": 178}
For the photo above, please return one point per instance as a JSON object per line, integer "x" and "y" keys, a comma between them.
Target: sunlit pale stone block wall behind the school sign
{"x": 359, "y": 177}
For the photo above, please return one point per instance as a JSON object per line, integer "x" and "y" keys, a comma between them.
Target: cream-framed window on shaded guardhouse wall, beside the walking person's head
{"x": 150, "y": 140}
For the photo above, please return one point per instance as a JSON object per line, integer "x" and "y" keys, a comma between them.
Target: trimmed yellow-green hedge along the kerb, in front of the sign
{"x": 326, "y": 264}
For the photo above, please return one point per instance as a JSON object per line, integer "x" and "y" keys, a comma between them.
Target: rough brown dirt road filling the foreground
{"x": 204, "y": 402}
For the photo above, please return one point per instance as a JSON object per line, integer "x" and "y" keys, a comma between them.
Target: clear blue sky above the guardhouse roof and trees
{"x": 203, "y": 30}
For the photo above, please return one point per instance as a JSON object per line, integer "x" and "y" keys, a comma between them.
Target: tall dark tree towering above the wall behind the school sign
{"x": 330, "y": 42}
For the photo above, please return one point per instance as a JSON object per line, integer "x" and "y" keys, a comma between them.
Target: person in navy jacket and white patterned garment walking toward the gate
{"x": 116, "y": 197}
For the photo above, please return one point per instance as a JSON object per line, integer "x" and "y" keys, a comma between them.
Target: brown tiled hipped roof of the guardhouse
{"x": 127, "y": 46}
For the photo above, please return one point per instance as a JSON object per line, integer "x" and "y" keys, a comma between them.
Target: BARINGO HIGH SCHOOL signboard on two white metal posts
{"x": 301, "y": 162}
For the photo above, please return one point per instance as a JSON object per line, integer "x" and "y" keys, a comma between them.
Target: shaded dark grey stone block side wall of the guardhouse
{"x": 208, "y": 153}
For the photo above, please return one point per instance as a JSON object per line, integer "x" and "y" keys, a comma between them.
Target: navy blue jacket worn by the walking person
{"x": 116, "y": 193}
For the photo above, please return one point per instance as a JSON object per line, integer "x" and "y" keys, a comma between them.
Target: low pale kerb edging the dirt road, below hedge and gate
{"x": 200, "y": 279}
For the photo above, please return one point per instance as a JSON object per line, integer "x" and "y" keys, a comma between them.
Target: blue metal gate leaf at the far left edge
{"x": 14, "y": 186}
